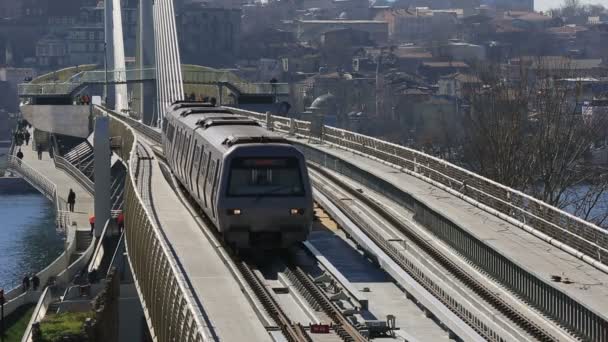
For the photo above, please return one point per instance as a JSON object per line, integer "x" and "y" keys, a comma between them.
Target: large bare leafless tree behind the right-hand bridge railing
{"x": 526, "y": 132}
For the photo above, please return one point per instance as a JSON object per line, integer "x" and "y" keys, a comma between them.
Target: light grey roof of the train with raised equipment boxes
{"x": 222, "y": 128}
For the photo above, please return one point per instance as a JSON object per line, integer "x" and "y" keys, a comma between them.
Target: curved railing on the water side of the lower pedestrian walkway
{"x": 45, "y": 186}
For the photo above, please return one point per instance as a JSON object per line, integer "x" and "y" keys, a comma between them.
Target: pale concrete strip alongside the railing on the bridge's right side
{"x": 589, "y": 286}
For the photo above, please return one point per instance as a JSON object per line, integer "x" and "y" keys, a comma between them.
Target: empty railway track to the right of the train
{"x": 527, "y": 325}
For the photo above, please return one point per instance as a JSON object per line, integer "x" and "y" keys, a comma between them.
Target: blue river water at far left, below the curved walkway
{"x": 29, "y": 240}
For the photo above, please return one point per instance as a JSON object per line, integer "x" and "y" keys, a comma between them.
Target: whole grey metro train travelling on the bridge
{"x": 251, "y": 183}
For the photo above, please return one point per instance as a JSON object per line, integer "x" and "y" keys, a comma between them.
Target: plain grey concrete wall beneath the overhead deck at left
{"x": 62, "y": 119}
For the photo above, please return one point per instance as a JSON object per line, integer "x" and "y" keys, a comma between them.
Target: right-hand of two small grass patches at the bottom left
{"x": 54, "y": 327}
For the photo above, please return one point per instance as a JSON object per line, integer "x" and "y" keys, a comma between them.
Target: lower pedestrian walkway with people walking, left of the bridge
{"x": 84, "y": 201}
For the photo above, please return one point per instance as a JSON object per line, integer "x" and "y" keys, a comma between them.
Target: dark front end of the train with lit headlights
{"x": 266, "y": 201}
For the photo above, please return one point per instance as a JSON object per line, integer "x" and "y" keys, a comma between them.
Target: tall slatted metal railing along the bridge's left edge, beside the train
{"x": 167, "y": 302}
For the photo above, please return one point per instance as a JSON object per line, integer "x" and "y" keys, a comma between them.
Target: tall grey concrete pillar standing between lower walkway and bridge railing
{"x": 101, "y": 164}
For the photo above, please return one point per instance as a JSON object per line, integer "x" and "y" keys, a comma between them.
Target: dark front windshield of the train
{"x": 265, "y": 177}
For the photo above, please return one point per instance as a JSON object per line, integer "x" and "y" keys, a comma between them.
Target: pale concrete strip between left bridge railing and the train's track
{"x": 225, "y": 306}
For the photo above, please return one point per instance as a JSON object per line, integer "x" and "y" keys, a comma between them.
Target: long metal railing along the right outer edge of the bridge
{"x": 588, "y": 239}
